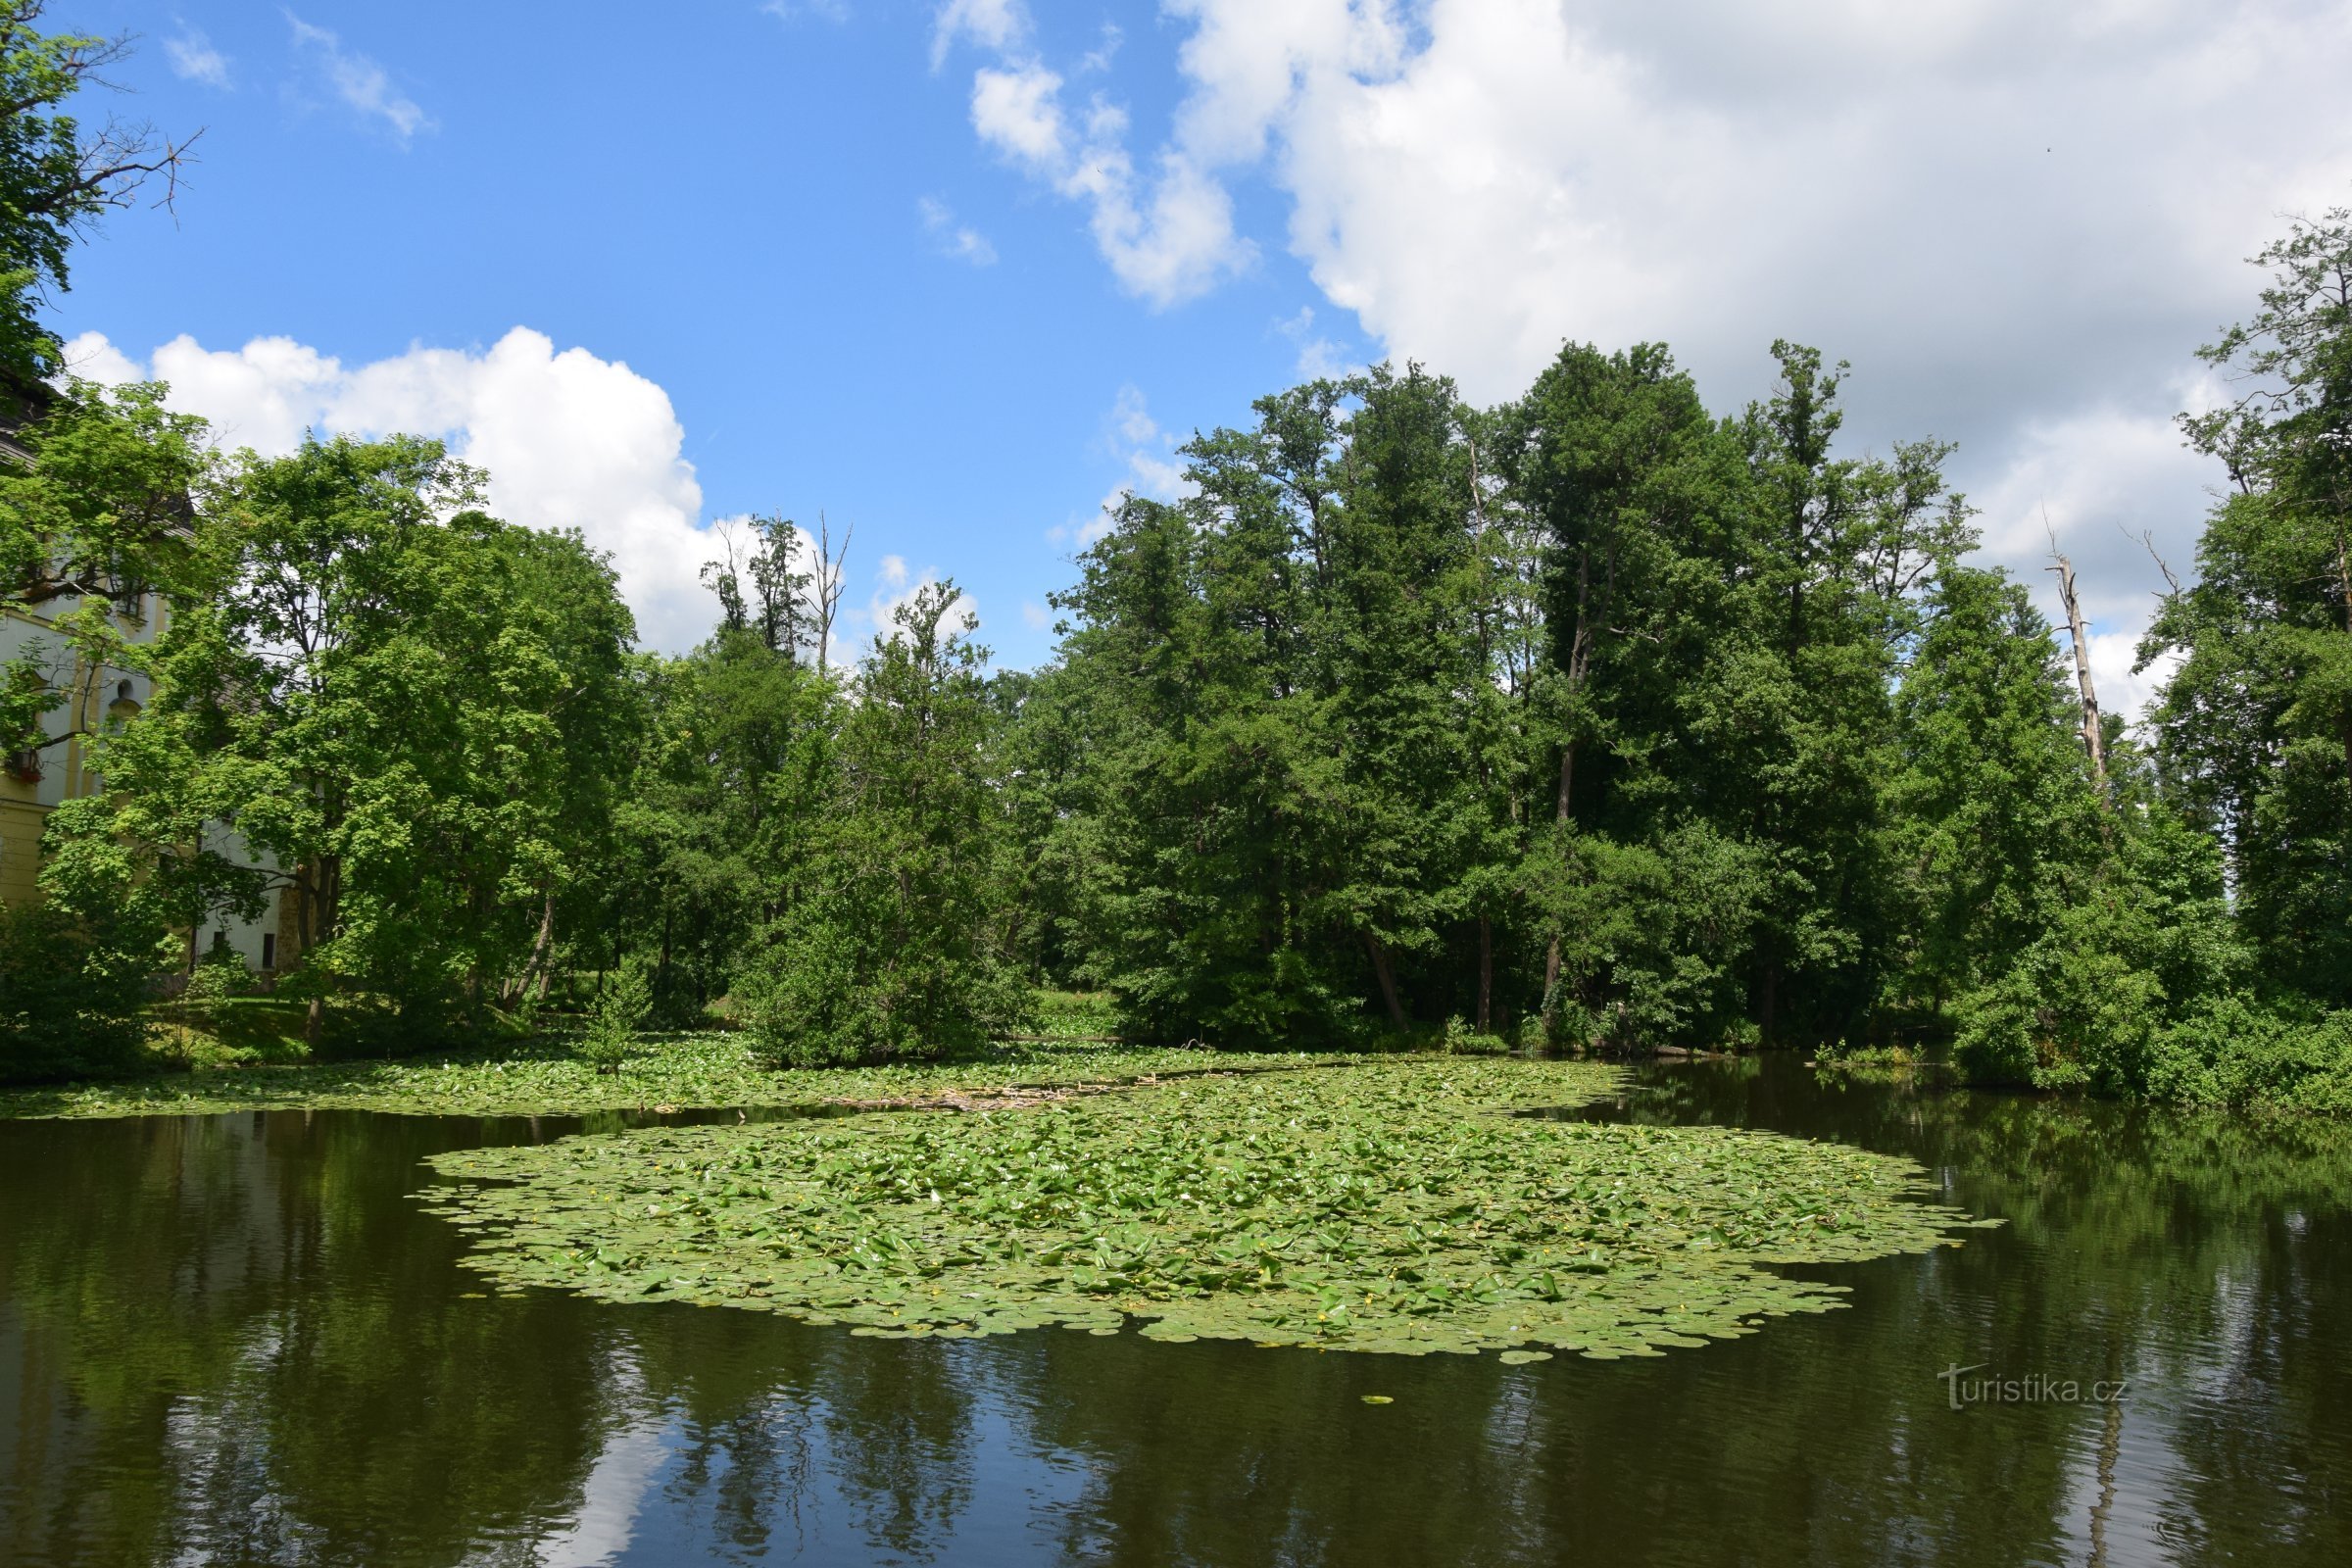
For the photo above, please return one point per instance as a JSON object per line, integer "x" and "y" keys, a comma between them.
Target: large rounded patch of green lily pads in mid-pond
{"x": 1382, "y": 1207}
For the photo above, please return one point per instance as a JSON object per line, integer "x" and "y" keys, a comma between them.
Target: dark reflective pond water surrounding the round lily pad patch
{"x": 239, "y": 1341}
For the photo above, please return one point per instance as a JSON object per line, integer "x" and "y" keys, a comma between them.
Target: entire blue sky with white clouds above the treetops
{"x": 954, "y": 274}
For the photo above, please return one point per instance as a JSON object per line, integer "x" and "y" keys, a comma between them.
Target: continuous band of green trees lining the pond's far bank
{"x": 1591, "y": 721}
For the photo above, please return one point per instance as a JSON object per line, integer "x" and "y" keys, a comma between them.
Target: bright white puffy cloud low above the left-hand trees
{"x": 568, "y": 438}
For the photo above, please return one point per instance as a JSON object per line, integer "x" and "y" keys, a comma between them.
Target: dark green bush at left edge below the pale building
{"x": 69, "y": 1000}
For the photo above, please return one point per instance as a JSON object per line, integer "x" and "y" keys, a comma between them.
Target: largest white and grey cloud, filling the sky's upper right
{"x": 2017, "y": 220}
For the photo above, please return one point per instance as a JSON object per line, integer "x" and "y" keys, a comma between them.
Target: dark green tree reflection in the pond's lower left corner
{"x": 246, "y": 1346}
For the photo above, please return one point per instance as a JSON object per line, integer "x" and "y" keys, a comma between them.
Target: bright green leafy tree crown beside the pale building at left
{"x": 410, "y": 709}
